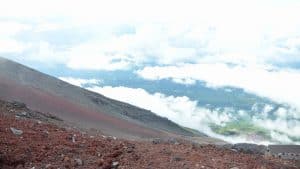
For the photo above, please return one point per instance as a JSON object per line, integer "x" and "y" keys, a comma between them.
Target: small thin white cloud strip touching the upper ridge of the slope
{"x": 81, "y": 82}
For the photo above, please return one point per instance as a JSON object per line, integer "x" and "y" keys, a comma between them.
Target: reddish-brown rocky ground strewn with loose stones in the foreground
{"x": 34, "y": 140}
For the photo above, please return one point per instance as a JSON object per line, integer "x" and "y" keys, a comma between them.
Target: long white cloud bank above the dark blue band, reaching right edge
{"x": 279, "y": 85}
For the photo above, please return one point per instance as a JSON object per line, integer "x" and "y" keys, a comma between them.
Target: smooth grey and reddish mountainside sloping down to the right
{"x": 82, "y": 107}
